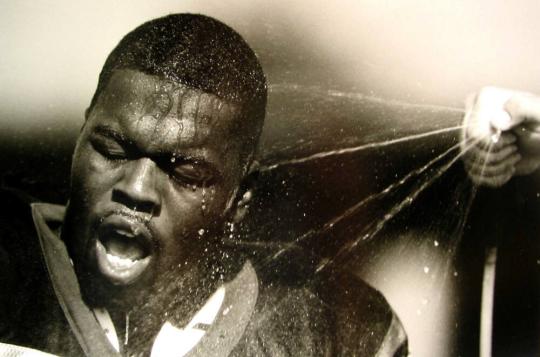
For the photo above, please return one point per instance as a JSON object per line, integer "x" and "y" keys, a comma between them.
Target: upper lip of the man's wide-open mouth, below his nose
{"x": 131, "y": 226}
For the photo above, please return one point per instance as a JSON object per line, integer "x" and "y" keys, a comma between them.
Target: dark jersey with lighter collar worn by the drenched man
{"x": 42, "y": 308}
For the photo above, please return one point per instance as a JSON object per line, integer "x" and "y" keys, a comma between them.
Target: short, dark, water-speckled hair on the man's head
{"x": 199, "y": 52}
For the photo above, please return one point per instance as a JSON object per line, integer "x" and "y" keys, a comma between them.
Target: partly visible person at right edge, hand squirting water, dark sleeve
{"x": 502, "y": 129}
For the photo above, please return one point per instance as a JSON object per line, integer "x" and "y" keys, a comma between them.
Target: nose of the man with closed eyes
{"x": 137, "y": 189}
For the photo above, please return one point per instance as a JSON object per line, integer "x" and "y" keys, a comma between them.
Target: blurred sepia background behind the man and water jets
{"x": 341, "y": 73}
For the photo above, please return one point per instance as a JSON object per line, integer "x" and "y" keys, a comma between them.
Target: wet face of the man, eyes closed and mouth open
{"x": 154, "y": 173}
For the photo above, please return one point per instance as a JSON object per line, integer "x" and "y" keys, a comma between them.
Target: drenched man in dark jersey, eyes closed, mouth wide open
{"x": 137, "y": 262}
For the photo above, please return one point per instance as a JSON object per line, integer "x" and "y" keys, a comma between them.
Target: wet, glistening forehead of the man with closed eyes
{"x": 166, "y": 116}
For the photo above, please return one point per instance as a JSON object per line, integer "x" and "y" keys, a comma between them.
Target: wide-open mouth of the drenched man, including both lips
{"x": 123, "y": 249}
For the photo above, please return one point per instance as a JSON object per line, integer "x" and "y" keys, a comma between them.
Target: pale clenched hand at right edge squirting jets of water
{"x": 501, "y": 135}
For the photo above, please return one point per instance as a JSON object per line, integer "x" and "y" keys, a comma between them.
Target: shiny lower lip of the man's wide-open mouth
{"x": 118, "y": 270}
